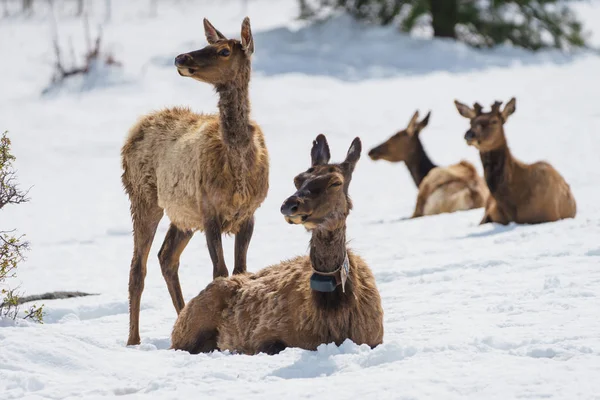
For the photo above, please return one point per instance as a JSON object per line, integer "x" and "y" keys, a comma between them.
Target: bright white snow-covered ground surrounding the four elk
{"x": 481, "y": 312}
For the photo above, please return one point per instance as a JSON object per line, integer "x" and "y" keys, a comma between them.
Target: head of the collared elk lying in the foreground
{"x": 321, "y": 200}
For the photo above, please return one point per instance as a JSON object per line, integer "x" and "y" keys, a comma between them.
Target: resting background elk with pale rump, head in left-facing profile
{"x": 441, "y": 189}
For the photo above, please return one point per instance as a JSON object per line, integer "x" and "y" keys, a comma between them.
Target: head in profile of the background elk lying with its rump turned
{"x": 404, "y": 143}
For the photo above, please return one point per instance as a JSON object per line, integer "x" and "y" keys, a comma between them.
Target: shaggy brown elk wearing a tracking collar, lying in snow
{"x": 276, "y": 307}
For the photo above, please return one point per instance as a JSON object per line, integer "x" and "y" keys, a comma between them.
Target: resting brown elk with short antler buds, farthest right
{"x": 521, "y": 193}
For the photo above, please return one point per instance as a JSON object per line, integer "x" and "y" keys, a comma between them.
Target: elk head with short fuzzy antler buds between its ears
{"x": 487, "y": 129}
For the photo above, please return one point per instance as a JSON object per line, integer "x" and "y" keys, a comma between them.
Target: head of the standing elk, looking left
{"x": 220, "y": 62}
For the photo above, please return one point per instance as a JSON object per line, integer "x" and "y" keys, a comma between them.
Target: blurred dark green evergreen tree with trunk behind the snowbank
{"x": 532, "y": 24}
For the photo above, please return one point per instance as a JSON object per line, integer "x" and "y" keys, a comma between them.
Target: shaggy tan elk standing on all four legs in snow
{"x": 206, "y": 172}
